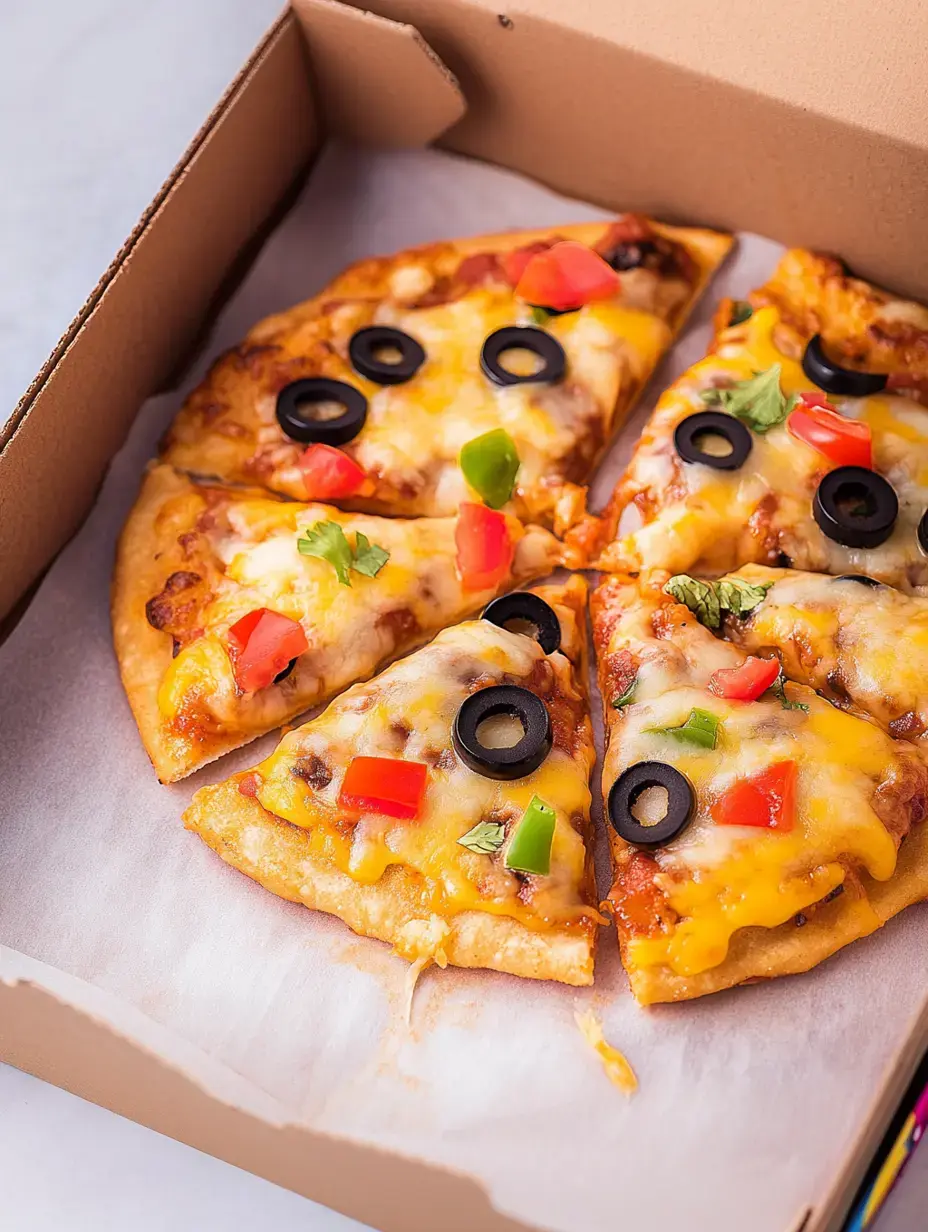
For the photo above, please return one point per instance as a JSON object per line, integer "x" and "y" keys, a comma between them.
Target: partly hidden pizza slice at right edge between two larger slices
{"x": 858, "y": 642}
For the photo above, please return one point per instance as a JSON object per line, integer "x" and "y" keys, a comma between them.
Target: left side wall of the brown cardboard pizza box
{"x": 151, "y": 305}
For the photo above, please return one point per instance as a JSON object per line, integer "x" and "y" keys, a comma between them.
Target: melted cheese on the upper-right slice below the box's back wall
{"x": 708, "y": 527}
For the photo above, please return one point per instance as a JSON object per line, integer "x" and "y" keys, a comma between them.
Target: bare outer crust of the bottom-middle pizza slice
{"x": 278, "y": 856}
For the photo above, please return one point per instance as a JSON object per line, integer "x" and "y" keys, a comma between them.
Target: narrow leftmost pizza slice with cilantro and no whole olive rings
{"x": 235, "y": 612}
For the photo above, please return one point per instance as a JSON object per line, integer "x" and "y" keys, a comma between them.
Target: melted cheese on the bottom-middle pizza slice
{"x": 409, "y": 713}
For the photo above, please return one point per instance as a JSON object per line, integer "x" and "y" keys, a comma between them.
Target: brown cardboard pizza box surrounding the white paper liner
{"x": 802, "y": 125}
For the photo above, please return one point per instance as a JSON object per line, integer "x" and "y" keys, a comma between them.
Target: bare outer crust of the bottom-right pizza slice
{"x": 765, "y": 954}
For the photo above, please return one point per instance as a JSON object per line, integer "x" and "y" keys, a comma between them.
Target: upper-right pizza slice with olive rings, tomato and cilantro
{"x": 802, "y": 440}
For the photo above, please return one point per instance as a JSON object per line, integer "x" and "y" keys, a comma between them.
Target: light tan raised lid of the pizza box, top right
{"x": 852, "y": 62}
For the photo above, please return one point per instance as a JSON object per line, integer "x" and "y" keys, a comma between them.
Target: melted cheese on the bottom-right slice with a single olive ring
{"x": 723, "y": 879}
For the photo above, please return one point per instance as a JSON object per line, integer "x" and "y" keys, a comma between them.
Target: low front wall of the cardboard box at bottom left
{"x": 45, "y": 1035}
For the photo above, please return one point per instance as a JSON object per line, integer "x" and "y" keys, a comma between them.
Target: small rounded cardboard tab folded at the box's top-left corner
{"x": 378, "y": 81}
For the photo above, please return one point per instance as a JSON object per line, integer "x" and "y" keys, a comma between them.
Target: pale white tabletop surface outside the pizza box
{"x": 98, "y": 100}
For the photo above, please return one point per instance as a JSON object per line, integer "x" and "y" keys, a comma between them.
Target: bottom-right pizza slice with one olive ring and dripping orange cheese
{"x": 756, "y": 830}
